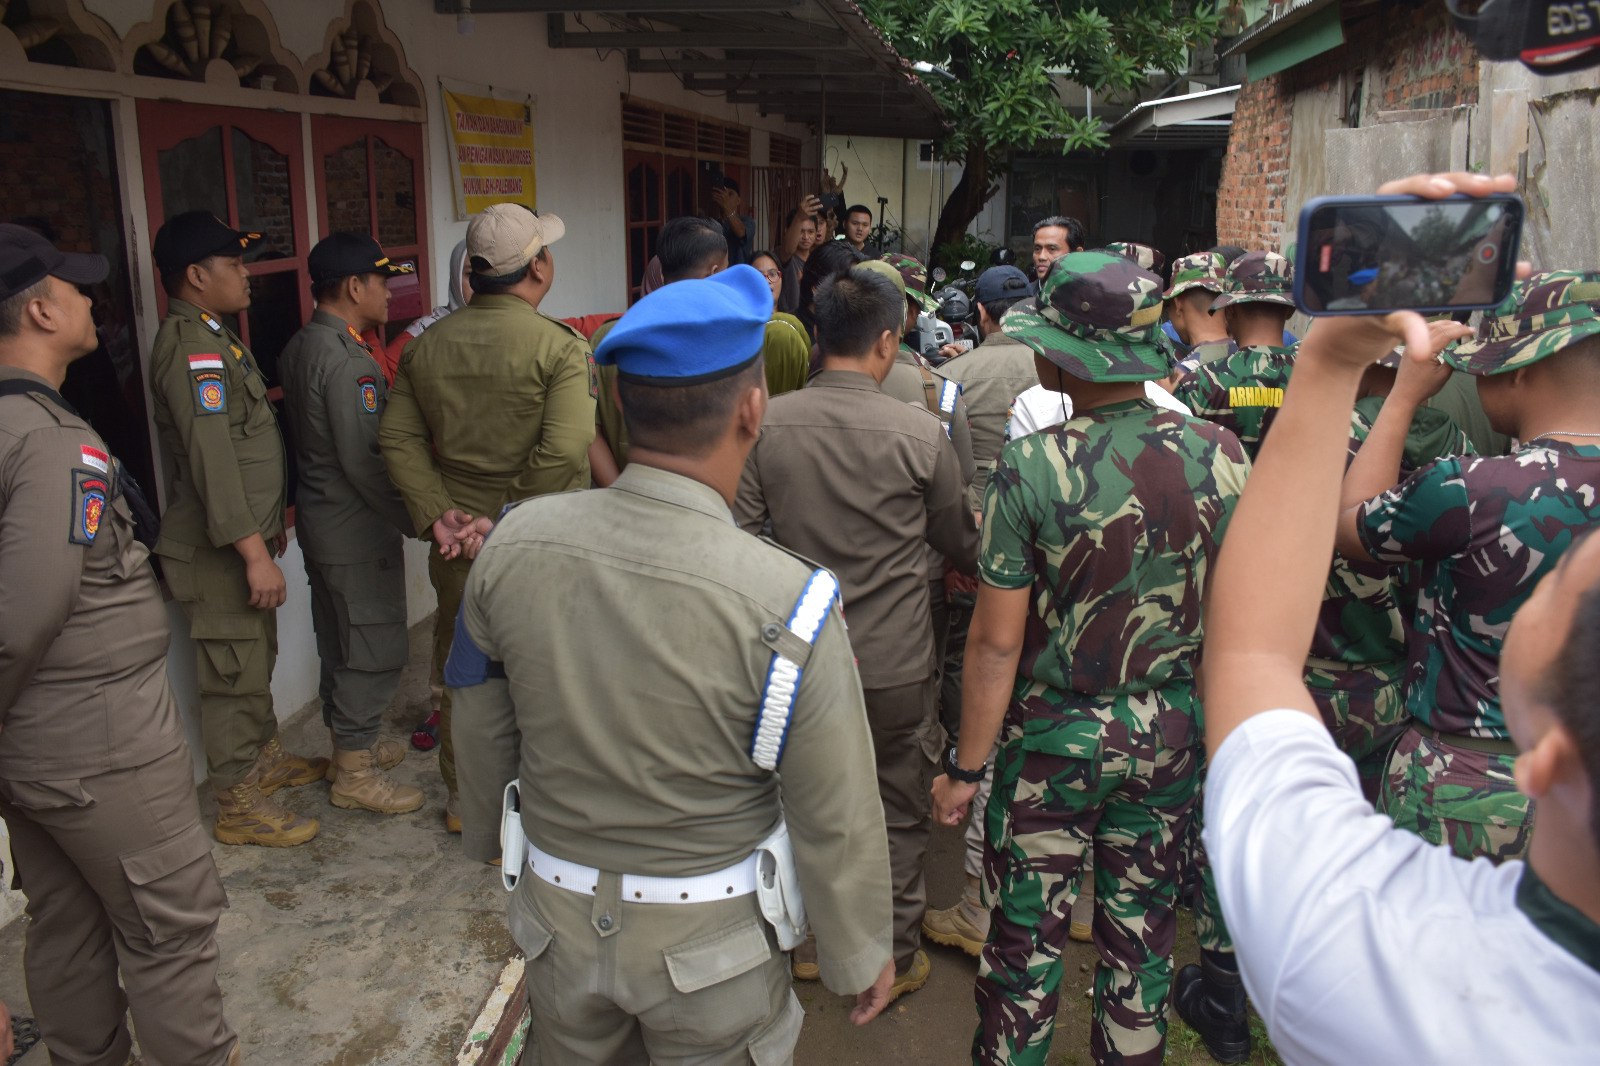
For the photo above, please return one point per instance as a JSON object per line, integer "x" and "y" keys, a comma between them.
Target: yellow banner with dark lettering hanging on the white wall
{"x": 490, "y": 151}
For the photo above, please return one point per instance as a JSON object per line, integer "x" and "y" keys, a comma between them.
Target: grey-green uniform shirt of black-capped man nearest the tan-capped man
{"x": 335, "y": 393}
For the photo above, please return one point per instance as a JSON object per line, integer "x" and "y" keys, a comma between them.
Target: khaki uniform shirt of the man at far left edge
{"x": 82, "y": 627}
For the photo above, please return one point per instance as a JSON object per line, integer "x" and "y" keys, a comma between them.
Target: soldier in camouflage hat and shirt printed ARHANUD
{"x": 1246, "y": 390}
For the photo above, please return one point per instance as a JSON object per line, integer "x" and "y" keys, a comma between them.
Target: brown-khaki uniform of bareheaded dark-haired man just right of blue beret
{"x": 866, "y": 484}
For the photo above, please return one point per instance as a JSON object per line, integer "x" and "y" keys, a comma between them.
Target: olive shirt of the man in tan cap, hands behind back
{"x": 494, "y": 404}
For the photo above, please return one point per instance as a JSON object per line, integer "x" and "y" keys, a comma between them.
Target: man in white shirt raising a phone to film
{"x": 1359, "y": 942}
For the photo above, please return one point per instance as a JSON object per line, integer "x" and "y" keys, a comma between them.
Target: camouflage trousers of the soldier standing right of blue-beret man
{"x": 1124, "y": 780}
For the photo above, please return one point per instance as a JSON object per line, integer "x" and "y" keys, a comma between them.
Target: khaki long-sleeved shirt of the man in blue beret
{"x": 630, "y": 711}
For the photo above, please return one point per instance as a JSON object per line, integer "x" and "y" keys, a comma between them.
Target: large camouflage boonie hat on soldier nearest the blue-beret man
{"x": 1098, "y": 316}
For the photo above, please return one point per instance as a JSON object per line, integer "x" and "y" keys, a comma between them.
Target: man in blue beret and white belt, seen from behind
{"x": 668, "y": 873}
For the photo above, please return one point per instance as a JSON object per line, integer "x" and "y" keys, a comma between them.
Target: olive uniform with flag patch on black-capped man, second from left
{"x": 220, "y": 430}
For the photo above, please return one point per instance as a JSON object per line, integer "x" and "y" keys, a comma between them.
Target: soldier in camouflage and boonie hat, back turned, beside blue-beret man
{"x": 1097, "y": 543}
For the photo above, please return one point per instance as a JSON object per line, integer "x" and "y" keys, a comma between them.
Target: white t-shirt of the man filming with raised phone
{"x": 1362, "y": 944}
